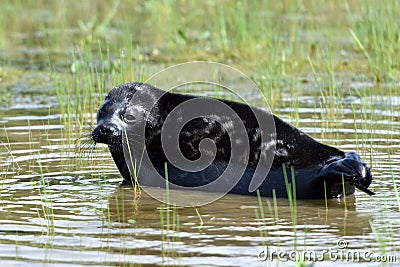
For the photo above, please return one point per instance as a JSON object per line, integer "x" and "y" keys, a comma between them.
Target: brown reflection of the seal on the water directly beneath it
{"x": 239, "y": 214}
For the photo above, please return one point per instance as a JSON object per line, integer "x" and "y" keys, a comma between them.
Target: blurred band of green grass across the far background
{"x": 253, "y": 34}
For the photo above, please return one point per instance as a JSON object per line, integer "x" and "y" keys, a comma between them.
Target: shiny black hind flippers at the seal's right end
{"x": 352, "y": 168}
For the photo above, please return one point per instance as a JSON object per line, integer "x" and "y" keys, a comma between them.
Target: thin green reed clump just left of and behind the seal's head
{"x": 93, "y": 72}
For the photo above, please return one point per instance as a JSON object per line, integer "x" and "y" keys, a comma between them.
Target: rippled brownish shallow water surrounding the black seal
{"x": 60, "y": 207}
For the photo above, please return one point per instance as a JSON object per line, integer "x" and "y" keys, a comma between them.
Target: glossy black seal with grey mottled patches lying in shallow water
{"x": 299, "y": 163}
